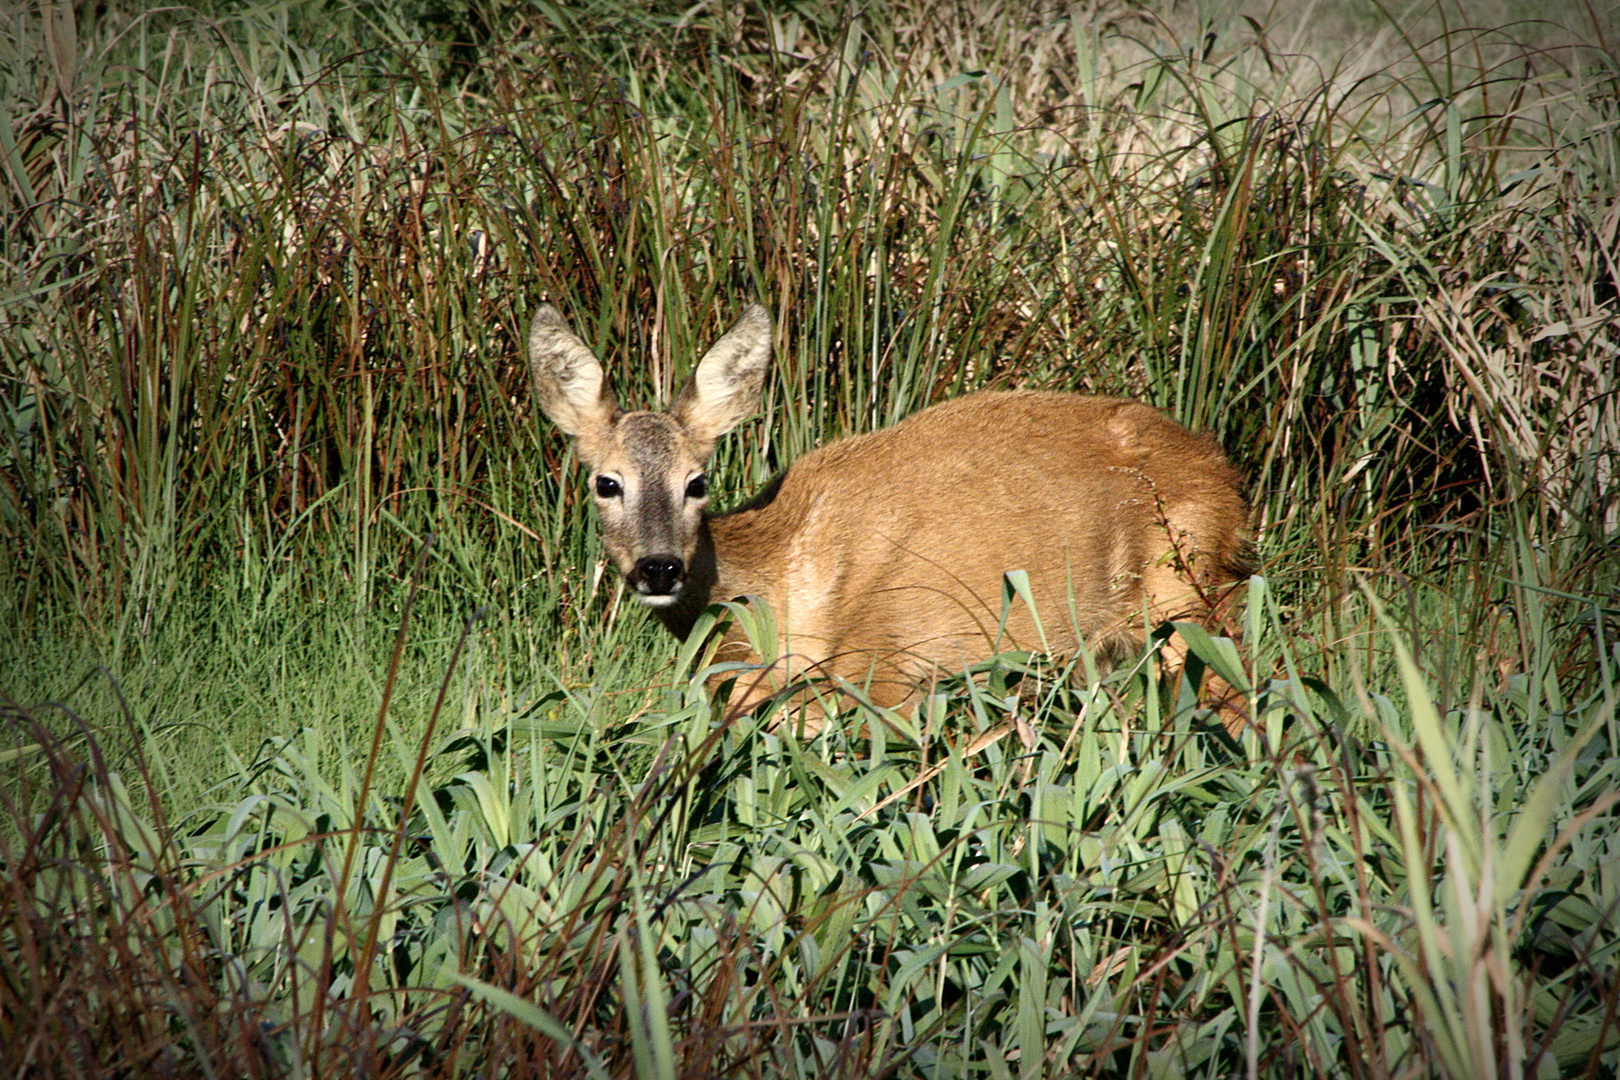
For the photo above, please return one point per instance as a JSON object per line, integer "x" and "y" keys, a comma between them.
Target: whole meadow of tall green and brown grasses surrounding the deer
{"x": 333, "y": 747}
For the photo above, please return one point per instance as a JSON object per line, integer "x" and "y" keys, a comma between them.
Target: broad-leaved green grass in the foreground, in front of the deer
{"x": 1062, "y": 882}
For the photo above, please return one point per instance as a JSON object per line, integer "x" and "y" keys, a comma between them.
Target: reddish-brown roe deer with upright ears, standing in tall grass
{"x": 882, "y": 556}
